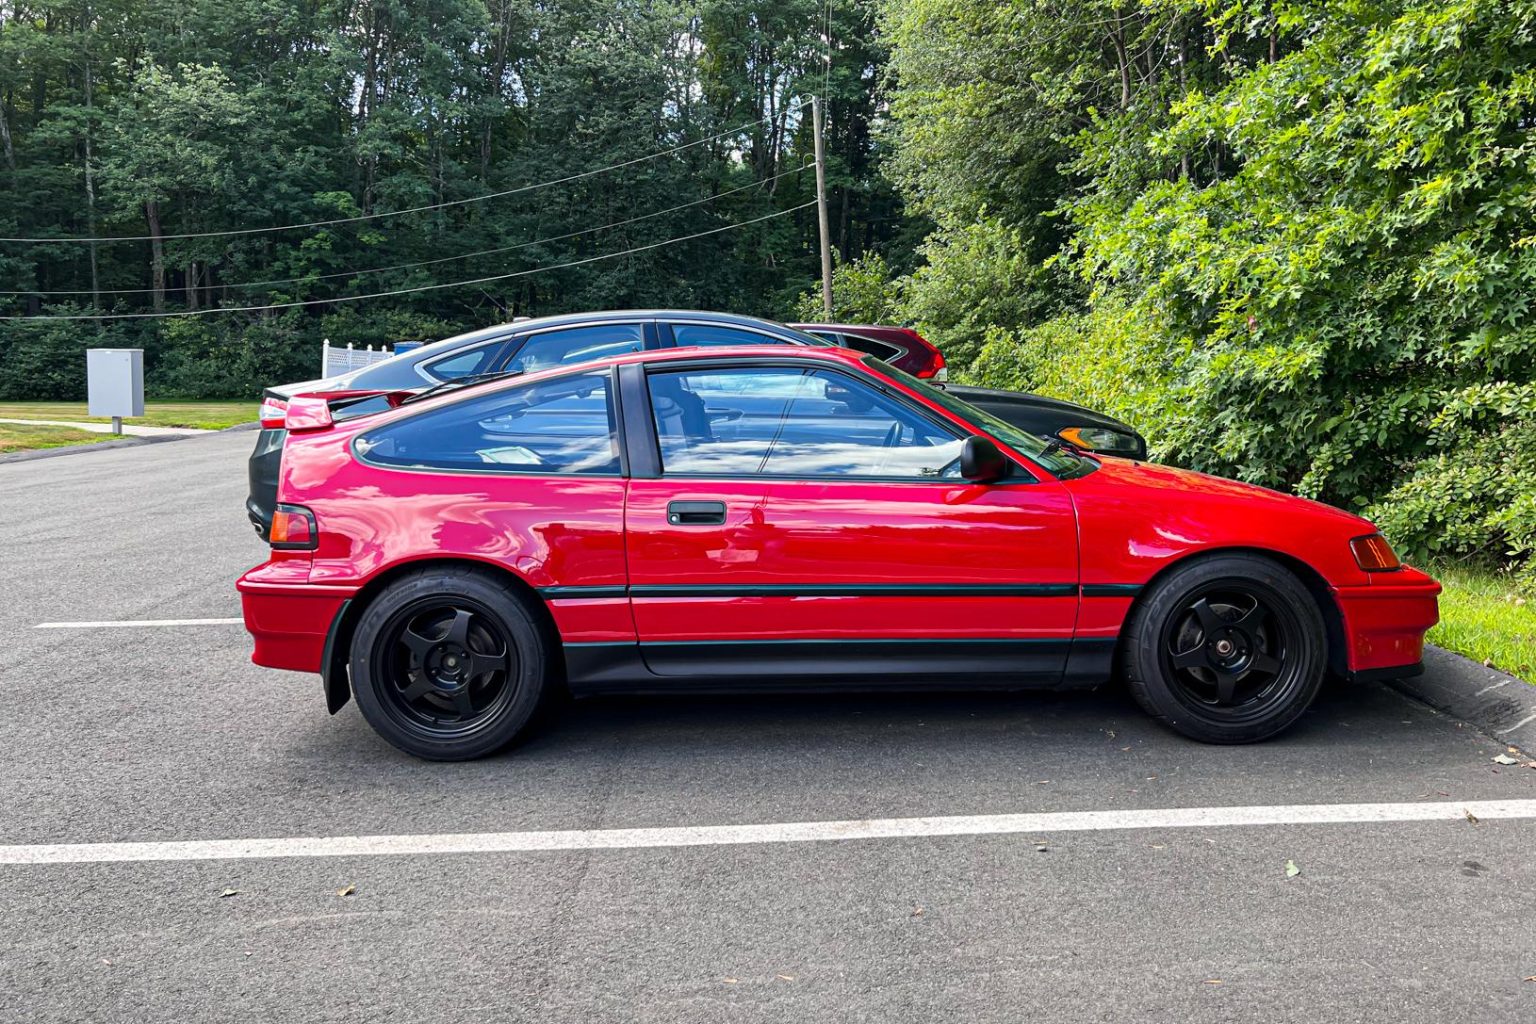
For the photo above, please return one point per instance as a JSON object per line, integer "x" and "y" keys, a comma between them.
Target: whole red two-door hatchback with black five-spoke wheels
{"x": 790, "y": 518}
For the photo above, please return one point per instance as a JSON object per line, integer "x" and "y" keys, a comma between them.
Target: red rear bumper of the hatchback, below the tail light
{"x": 288, "y": 621}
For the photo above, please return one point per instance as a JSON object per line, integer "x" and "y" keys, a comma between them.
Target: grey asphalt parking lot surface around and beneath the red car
{"x": 145, "y": 735}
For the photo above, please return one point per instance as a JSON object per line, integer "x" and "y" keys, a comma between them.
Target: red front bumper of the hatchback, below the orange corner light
{"x": 1385, "y": 624}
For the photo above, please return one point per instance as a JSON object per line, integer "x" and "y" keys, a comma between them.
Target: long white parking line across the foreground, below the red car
{"x": 787, "y": 833}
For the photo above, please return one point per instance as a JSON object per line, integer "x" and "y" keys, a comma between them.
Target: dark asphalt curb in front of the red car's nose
{"x": 1497, "y": 704}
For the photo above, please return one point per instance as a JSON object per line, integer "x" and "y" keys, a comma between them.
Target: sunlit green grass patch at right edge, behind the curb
{"x": 1486, "y": 619}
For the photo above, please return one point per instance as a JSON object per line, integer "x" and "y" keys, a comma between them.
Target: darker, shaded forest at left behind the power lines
{"x": 127, "y": 119}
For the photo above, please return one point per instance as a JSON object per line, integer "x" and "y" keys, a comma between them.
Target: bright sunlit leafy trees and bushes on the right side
{"x": 1303, "y": 236}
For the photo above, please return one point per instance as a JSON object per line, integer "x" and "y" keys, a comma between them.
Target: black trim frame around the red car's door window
{"x": 649, "y": 449}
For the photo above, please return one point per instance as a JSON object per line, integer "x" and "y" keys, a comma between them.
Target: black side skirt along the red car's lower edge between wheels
{"x": 813, "y": 666}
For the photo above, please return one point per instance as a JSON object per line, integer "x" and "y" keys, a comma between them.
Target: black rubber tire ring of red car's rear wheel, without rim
{"x": 371, "y": 687}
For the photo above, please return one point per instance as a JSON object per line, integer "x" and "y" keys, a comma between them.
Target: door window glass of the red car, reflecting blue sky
{"x": 790, "y": 421}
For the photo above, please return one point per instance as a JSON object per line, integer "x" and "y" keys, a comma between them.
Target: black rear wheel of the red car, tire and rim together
{"x": 449, "y": 666}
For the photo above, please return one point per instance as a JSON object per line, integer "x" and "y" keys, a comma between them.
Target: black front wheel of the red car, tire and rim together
{"x": 1226, "y": 650}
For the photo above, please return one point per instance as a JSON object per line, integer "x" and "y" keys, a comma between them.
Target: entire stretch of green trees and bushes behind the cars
{"x": 1294, "y": 242}
